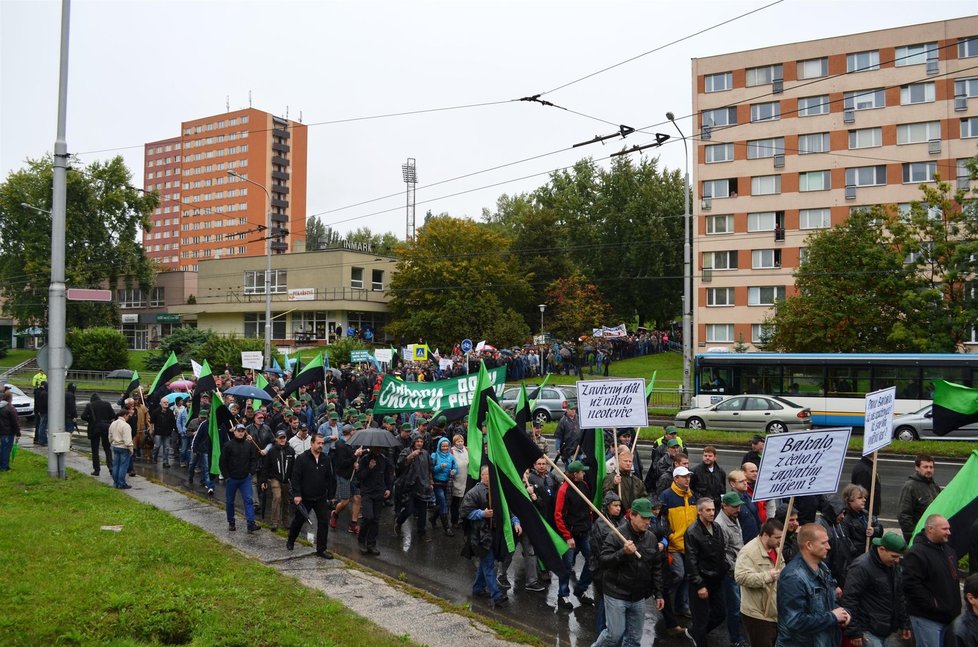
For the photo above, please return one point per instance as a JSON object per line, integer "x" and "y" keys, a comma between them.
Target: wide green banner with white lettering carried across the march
{"x": 396, "y": 396}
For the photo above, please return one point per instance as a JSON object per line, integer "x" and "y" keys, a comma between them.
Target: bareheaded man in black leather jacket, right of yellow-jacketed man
{"x": 706, "y": 565}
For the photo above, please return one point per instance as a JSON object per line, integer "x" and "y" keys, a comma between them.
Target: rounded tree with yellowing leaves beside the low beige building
{"x": 457, "y": 280}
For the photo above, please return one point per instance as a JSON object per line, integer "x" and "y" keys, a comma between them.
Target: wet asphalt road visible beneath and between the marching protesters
{"x": 437, "y": 567}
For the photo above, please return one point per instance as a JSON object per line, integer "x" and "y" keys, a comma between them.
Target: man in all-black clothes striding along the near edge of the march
{"x": 313, "y": 486}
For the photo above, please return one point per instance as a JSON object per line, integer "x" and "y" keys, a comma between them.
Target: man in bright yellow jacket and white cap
{"x": 680, "y": 513}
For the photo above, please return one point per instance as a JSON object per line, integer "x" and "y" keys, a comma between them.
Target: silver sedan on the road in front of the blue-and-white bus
{"x": 767, "y": 413}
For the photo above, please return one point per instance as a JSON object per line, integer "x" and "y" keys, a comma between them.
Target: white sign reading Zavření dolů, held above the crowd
{"x": 612, "y": 403}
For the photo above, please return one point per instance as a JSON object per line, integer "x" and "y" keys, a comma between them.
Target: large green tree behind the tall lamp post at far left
{"x": 104, "y": 212}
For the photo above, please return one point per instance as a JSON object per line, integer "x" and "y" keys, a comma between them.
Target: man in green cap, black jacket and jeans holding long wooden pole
{"x": 629, "y": 580}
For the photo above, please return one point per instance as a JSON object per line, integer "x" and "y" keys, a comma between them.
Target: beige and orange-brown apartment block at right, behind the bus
{"x": 791, "y": 138}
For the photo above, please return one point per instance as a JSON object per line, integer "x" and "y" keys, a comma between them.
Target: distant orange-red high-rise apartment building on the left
{"x": 205, "y": 211}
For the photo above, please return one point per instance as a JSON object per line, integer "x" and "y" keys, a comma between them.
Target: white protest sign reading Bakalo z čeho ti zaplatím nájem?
{"x": 801, "y": 463}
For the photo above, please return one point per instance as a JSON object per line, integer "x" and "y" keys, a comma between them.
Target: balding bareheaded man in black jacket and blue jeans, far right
{"x": 930, "y": 582}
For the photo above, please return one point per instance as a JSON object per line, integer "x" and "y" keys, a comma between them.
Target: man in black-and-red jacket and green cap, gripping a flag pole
{"x": 572, "y": 516}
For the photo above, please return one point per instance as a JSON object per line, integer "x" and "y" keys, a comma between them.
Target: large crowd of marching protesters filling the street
{"x": 688, "y": 540}
